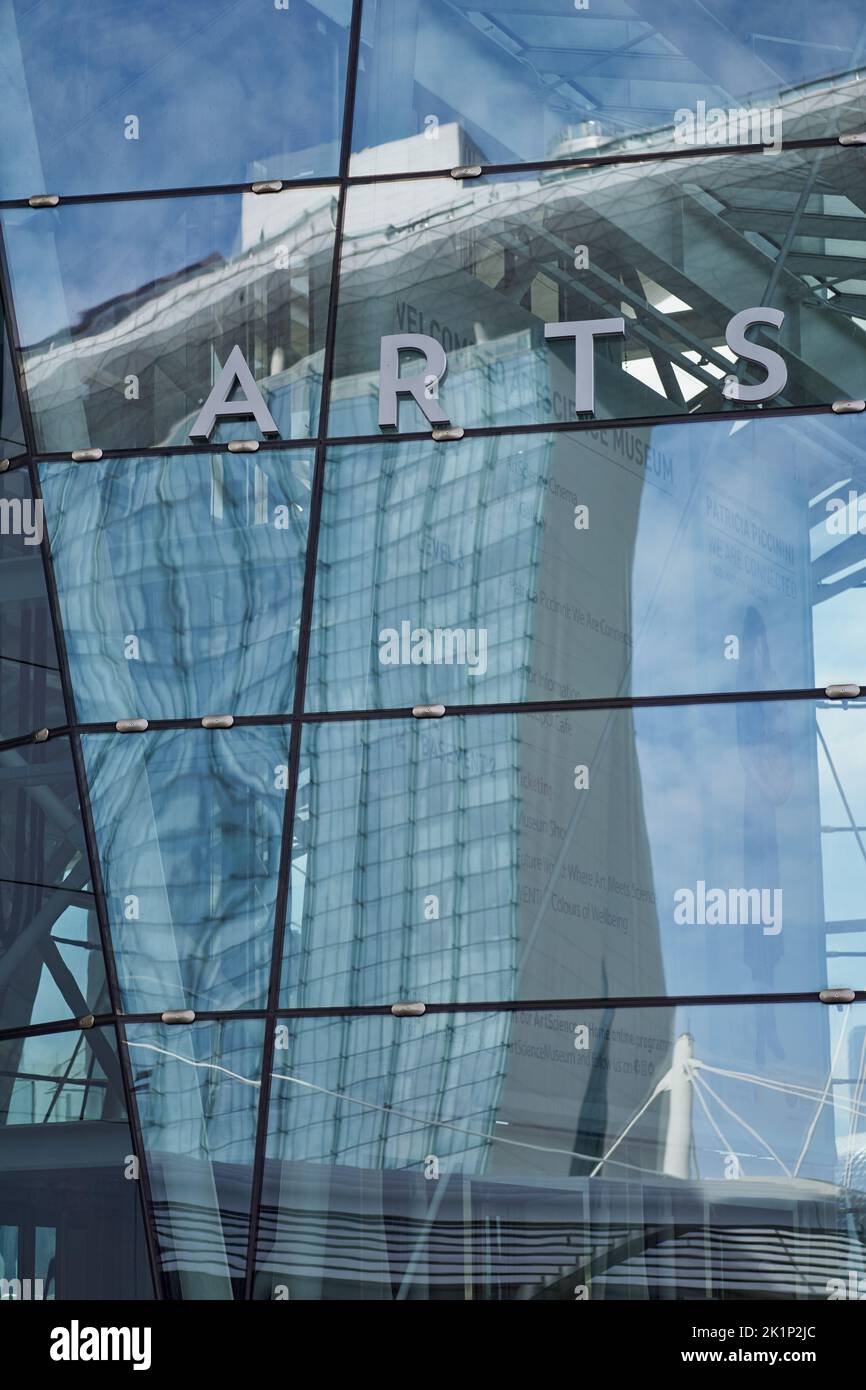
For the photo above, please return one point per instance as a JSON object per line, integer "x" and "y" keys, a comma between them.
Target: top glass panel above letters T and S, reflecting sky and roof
{"x": 452, "y": 83}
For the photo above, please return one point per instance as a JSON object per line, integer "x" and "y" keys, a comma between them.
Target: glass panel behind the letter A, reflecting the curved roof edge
{"x": 129, "y": 312}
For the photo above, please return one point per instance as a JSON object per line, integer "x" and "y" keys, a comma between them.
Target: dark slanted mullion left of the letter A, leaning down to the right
{"x": 84, "y": 799}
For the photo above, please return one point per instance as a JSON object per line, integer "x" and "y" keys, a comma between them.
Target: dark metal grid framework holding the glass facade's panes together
{"x": 300, "y": 717}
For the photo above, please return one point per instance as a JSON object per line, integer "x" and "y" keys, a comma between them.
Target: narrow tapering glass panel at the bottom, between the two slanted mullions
{"x": 198, "y": 1097}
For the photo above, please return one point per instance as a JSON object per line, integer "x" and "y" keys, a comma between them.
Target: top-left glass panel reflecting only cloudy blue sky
{"x": 102, "y": 98}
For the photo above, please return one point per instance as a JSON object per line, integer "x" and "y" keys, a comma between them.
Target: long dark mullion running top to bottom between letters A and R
{"x": 304, "y": 648}
